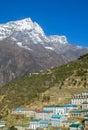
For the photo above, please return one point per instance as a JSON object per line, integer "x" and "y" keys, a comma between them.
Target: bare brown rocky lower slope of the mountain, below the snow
{"x": 17, "y": 62}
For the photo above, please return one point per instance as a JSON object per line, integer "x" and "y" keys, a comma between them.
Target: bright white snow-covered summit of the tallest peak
{"x": 25, "y": 26}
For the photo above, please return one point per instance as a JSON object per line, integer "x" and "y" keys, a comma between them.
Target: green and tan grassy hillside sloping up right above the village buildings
{"x": 39, "y": 88}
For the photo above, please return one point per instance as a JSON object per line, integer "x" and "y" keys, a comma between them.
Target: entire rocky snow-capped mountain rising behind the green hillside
{"x": 24, "y": 49}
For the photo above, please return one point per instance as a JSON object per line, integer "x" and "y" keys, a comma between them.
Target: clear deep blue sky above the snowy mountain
{"x": 56, "y": 17}
